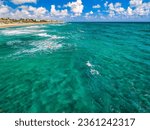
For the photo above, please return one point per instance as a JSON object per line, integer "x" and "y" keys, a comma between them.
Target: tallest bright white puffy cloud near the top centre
{"x": 76, "y": 7}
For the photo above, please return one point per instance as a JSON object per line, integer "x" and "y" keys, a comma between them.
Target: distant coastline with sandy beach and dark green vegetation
{"x": 7, "y": 22}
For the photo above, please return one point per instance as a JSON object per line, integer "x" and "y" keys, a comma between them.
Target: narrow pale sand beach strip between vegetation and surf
{"x": 26, "y": 24}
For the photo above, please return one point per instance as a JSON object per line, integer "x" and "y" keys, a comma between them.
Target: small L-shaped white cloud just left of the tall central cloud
{"x": 55, "y": 12}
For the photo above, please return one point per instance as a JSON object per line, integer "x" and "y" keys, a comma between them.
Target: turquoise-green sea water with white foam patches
{"x": 75, "y": 67}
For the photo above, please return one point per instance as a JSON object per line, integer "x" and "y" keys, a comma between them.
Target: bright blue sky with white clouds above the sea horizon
{"x": 77, "y": 10}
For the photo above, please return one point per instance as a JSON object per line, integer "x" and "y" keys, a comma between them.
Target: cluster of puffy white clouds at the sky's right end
{"x": 135, "y": 9}
